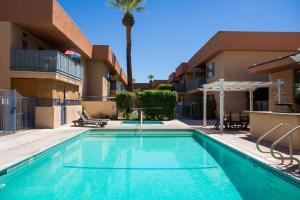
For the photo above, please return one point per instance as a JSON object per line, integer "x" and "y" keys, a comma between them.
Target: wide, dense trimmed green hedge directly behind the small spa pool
{"x": 158, "y": 104}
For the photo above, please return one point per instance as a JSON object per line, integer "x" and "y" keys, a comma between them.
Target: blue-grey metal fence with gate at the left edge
{"x": 16, "y": 112}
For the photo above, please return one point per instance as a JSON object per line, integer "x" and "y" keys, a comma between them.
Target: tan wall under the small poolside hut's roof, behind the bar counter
{"x": 287, "y": 90}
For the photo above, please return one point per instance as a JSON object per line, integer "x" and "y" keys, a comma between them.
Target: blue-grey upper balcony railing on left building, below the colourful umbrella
{"x": 45, "y": 61}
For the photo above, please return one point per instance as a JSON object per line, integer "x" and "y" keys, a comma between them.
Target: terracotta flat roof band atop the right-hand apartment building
{"x": 245, "y": 41}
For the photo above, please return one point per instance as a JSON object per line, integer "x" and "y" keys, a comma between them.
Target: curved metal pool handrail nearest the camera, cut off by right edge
{"x": 290, "y": 136}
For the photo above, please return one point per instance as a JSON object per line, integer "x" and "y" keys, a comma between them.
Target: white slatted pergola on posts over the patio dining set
{"x": 222, "y": 86}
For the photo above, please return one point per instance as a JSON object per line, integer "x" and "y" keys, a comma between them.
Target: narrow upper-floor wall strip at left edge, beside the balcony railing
{"x": 5, "y": 35}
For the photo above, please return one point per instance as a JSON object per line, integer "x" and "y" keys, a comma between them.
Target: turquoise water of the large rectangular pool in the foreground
{"x": 103, "y": 165}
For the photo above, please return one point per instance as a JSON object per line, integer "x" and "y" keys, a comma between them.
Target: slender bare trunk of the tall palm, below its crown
{"x": 128, "y": 56}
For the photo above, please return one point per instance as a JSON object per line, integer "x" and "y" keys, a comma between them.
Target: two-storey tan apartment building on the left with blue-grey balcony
{"x": 34, "y": 35}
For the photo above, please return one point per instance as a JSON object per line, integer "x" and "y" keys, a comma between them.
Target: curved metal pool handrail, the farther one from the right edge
{"x": 273, "y": 153}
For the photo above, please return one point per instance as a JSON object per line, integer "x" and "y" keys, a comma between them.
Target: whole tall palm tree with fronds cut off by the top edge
{"x": 128, "y": 6}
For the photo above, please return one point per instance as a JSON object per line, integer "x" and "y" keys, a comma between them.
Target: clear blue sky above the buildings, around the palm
{"x": 171, "y": 31}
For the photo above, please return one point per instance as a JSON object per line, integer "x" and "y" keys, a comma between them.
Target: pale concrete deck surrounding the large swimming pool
{"x": 25, "y": 144}
